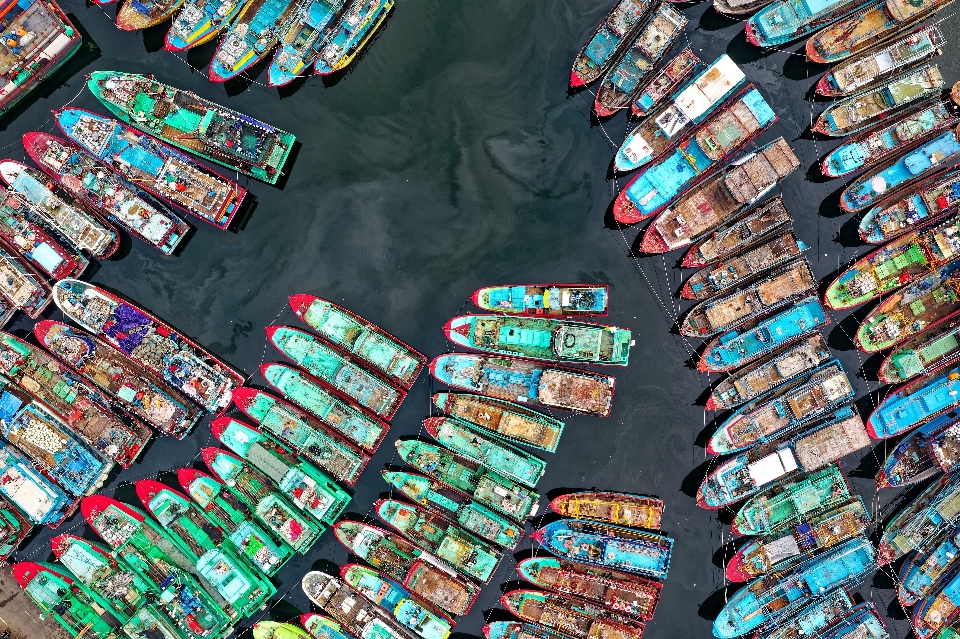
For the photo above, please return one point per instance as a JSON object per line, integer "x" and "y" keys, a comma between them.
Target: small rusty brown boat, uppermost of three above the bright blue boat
{"x": 760, "y": 224}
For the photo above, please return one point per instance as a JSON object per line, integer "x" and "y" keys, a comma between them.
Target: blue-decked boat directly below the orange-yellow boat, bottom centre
{"x": 614, "y": 547}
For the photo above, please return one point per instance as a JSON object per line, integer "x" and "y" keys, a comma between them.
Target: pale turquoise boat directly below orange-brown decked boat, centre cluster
{"x": 495, "y": 454}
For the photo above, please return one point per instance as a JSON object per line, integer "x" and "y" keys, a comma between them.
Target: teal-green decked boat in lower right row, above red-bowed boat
{"x": 787, "y": 503}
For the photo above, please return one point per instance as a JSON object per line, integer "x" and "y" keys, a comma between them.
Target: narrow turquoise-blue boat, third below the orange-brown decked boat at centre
{"x": 474, "y": 517}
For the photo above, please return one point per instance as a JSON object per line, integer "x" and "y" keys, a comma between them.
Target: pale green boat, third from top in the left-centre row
{"x": 340, "y": 415}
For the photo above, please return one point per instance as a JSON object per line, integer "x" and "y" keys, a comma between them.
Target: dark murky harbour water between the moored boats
{"x": 450, "y": 158}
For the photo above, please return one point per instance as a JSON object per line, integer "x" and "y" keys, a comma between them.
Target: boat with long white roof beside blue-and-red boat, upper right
{"x": 689, "y": 106}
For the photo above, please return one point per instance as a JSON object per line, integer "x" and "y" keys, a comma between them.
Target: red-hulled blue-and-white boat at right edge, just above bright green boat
{"x": 931, "y": 200}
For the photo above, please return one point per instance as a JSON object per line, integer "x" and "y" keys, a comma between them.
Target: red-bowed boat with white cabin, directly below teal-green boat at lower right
{"x": 794, "y": 544}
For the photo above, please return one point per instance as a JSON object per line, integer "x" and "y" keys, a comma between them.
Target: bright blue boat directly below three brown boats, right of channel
{"x": 763, "y": 336}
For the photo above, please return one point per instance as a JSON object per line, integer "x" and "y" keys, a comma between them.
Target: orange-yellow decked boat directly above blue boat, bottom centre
{"x": 622, "y": 509}
